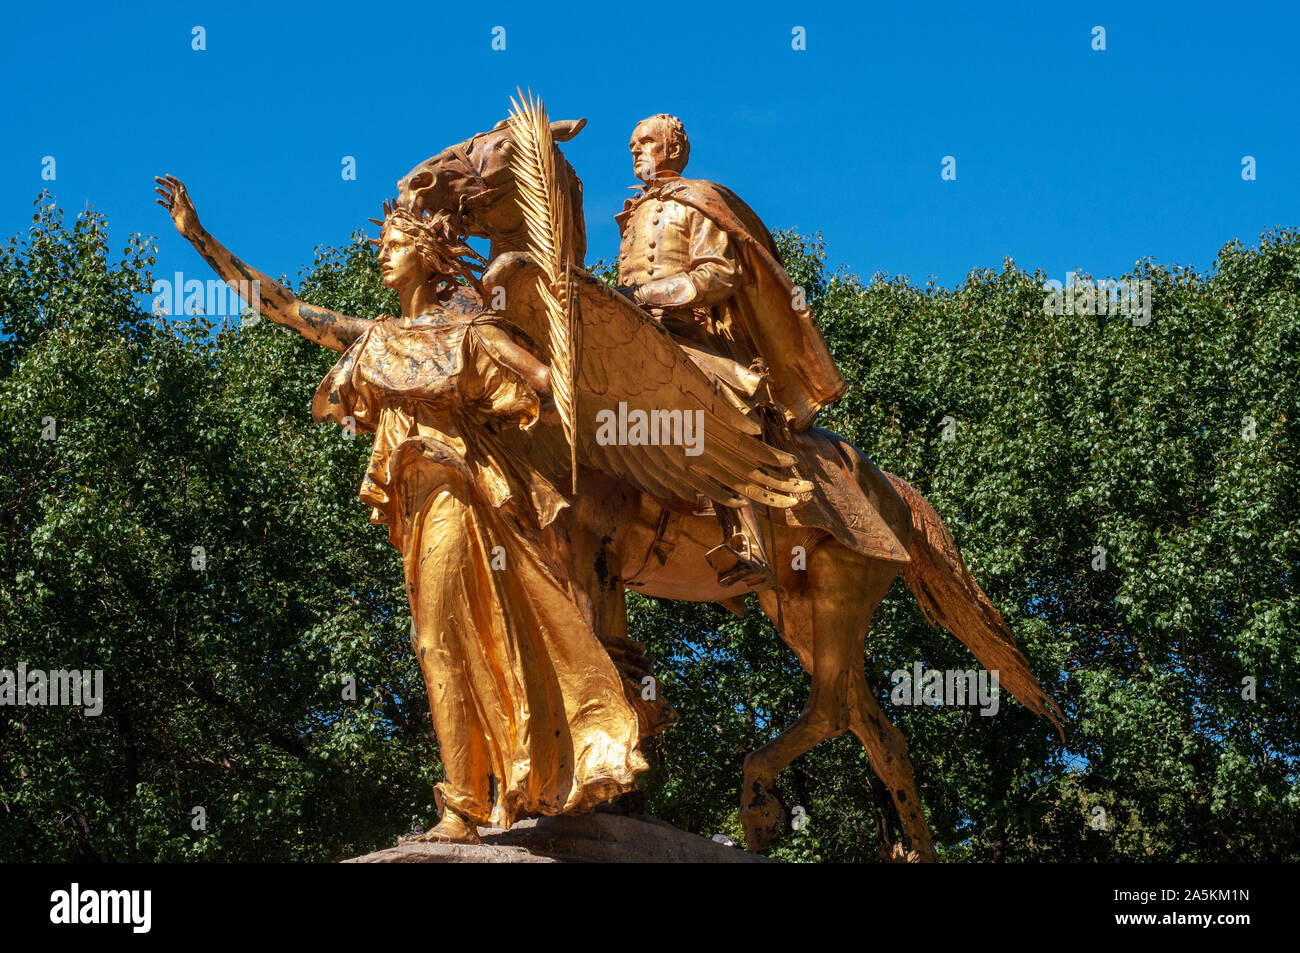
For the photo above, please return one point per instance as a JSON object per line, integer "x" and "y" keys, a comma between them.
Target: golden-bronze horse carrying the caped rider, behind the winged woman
{"x": 860, "y": 530}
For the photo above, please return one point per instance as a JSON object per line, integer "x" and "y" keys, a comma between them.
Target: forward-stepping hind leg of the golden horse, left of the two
{"x": 825, "y": 626}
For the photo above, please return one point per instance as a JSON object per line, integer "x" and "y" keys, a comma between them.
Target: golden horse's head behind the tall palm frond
{"x": 474, "y": 181}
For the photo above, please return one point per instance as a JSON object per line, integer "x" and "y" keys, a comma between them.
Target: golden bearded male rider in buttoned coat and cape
{"x": 701, "y": 262}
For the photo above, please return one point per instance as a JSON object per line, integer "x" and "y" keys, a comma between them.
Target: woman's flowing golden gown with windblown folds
{"x": 531, "y": 714}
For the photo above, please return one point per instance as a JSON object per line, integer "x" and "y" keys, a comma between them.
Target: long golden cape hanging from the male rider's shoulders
{"x": 803, "y": 378}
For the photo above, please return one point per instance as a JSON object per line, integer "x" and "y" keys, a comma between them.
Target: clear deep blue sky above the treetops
{"x": 1067, "y": 158}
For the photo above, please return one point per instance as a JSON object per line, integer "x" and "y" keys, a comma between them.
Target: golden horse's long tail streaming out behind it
{"x": 951, "y": 599}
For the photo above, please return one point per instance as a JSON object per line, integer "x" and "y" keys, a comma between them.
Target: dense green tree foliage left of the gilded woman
{"x": 224, "y": 685}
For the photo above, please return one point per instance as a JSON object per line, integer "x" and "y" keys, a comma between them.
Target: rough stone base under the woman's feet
{"x": 575, "y": 839}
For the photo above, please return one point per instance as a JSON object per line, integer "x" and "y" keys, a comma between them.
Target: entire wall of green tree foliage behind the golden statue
{"x": 1173, "y": 447}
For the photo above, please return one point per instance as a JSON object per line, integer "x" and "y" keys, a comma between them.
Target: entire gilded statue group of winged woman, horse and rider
{"x": 536, "y": 458}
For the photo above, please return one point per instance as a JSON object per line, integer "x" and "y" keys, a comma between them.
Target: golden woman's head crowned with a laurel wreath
{"x": 418, "y": 248}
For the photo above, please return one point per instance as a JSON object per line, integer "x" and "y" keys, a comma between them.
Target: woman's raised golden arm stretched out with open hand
{"x": 320, "y": 326}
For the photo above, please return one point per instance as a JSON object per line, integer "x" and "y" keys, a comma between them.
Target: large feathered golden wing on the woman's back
{"x": 645, "y": 411}
